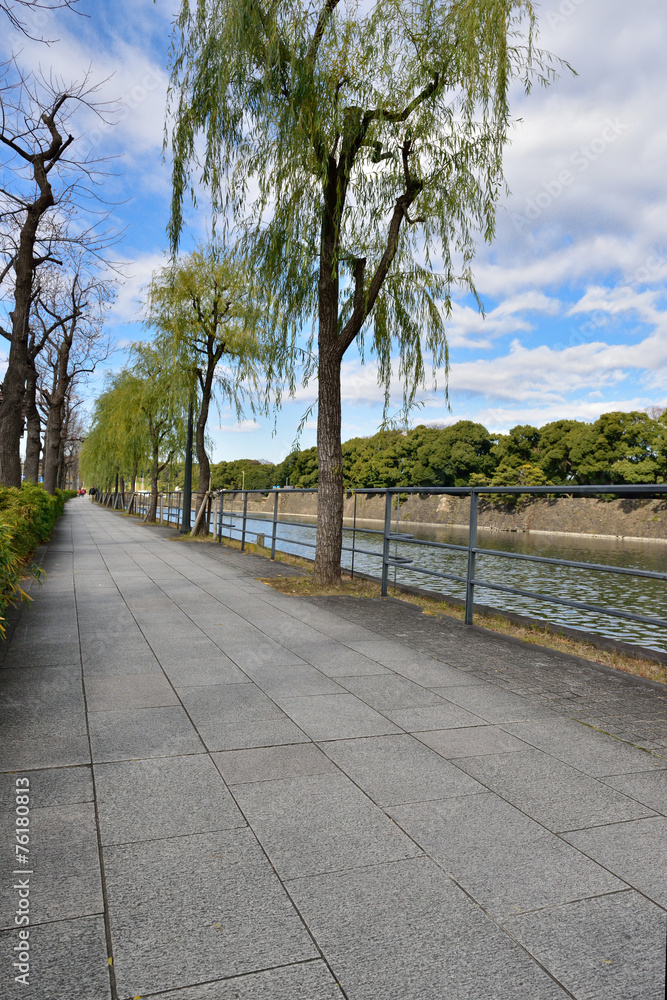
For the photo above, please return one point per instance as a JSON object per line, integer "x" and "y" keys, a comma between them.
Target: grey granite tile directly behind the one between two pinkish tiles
{"x": 336, "y": 717}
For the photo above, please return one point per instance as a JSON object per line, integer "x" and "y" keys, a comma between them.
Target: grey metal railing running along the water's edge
{"x": 170, "y": 512}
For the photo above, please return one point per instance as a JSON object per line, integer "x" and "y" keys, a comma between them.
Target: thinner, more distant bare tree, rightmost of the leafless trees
{"x": 75, "y": 346}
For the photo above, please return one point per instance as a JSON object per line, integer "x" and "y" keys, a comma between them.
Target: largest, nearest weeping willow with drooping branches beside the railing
{"x": 361, "y": 145}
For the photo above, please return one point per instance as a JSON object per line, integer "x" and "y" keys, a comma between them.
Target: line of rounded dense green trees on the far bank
{"x": 618, "y": 448}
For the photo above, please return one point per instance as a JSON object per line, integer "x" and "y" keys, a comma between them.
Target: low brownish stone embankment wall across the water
{"x": 576, "y": 515}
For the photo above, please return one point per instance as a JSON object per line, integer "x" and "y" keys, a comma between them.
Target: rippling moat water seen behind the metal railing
{"x": 626, "y": 593}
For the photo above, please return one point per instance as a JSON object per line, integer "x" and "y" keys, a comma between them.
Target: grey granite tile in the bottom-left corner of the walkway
{"x": 68, "y": 962}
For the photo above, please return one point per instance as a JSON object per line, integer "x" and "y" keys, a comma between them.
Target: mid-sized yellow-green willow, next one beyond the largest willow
{"x": 207, "y": 321}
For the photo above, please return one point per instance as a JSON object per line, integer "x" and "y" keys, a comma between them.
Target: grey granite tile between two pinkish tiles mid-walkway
{"x": 394, "y": 769}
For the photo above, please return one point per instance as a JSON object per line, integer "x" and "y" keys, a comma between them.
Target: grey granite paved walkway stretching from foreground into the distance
{"x": 238, "y": 795}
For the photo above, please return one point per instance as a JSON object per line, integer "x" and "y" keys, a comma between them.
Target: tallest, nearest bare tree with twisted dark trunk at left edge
{"x": 35, "y": 120}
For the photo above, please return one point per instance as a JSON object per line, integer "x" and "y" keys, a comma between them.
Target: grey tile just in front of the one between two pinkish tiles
{"x": 506, "y": 861}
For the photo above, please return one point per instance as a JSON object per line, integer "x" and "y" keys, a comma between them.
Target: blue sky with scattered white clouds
{"x": 574, "y": 285}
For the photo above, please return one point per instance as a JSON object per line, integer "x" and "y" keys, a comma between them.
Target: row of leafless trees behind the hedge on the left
{"x": 53, "y": 239}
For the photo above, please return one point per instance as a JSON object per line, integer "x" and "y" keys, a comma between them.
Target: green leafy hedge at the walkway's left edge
{"x": 27, "y": 518}
